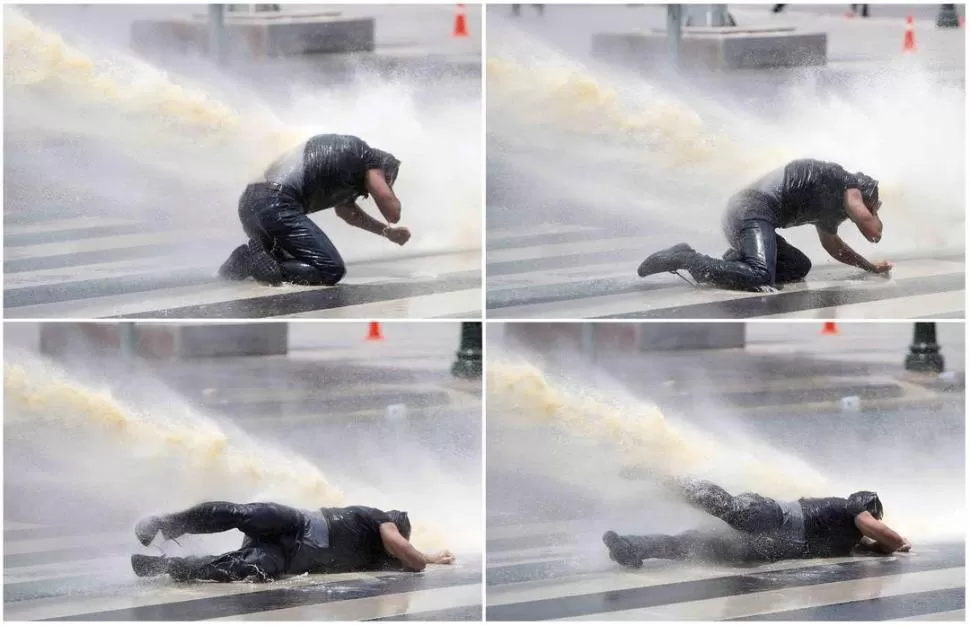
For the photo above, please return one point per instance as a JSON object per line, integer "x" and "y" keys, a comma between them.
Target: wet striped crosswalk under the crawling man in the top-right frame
{"x": 573, "y": 273}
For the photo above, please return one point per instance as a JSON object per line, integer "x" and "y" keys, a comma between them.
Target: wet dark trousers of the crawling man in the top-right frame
{"x": 759, "y": 257}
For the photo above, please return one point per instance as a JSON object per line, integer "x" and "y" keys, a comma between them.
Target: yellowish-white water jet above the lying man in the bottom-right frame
{"x": 923, "y": 495}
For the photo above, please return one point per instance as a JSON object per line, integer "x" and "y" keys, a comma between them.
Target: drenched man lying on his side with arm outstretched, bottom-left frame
{"x": 282, "y": 541}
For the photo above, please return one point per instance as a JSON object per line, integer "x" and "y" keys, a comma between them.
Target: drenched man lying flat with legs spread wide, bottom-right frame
{"x": 766, "y": 530}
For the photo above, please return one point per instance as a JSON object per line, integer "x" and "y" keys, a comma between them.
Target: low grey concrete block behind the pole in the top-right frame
{"x": 714, "y": 49}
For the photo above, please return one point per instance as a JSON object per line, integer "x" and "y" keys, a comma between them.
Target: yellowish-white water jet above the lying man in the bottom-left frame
{"x": 167, "y": 455}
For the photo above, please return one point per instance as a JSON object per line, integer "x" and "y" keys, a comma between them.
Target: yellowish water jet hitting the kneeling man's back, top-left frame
{"x": 55, "y": 87}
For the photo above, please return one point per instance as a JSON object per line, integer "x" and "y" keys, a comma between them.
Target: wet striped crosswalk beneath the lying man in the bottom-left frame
{"x": 105, "y": 589}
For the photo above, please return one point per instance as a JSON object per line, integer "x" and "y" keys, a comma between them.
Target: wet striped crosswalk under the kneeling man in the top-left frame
{"x": 102, "y": 268}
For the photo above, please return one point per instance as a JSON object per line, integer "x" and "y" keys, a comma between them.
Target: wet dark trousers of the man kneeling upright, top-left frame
{"x": 274, "y": 216}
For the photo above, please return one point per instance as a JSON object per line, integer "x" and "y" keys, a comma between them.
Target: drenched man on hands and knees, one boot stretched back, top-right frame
{"x": 803, "y": 192}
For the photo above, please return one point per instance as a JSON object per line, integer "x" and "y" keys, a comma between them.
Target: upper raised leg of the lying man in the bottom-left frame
{"x": 257, "y": 520}
